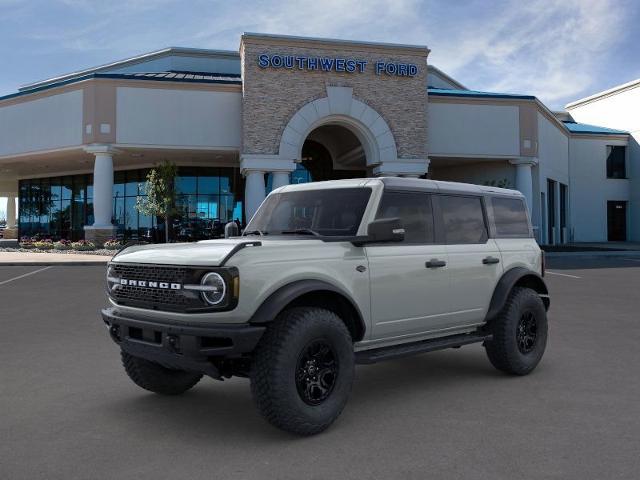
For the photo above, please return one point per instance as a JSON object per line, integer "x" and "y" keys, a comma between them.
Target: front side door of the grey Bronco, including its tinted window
{"x": 409, "y": 280}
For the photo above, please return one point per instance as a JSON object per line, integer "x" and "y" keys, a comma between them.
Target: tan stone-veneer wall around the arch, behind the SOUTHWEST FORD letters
{"x": 272, "y": 96}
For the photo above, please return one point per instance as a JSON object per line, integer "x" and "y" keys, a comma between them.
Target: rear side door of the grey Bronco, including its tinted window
{"x": 475, "y": 262}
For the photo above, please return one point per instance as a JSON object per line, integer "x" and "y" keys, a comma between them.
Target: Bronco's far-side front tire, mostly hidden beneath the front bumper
{"x": 156, "y": 378}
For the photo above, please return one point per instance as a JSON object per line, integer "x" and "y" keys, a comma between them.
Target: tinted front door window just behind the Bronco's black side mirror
{"x": 414, "y": 210}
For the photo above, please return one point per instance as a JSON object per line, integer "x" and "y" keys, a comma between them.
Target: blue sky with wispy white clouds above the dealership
{"x": 558, "y": 50}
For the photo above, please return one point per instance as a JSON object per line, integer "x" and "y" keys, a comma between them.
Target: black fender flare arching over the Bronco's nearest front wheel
{"x": 286, "y": 294}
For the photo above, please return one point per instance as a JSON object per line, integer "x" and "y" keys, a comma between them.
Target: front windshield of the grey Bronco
{"x": 326, "y": 212}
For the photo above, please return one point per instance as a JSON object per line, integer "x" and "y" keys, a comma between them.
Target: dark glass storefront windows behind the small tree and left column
{"x": 60, "y": 207}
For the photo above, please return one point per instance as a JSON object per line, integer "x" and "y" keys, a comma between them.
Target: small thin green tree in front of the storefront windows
{"x": 160, "y": 193}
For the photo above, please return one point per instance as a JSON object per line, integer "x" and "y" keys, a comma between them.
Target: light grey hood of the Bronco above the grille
{"x": 206, "y": 253}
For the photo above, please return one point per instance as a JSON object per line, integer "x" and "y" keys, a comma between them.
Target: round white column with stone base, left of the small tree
{"x": 102, "y": 228}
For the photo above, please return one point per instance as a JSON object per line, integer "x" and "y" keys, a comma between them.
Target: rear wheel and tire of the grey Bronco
{"x": 519, "y": 333}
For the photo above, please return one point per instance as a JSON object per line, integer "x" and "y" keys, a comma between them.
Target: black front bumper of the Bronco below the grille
{"x": 183, "y": 347}
